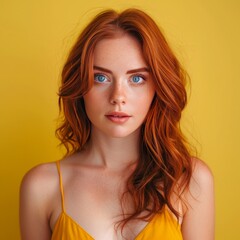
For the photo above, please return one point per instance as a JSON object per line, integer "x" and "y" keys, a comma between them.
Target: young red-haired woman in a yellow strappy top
{"x": 128, "y": 173}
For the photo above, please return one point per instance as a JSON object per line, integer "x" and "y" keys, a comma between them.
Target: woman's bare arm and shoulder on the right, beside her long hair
{"x": 199, "y": 218}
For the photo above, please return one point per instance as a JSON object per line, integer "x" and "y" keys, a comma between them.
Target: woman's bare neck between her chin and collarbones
{"x": 113, "y": 153}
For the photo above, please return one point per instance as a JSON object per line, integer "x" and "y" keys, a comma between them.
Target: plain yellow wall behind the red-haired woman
{"x": 35, "y": 37}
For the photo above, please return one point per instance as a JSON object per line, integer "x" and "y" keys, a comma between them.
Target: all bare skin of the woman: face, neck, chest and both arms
{"x": 94, "y": 179}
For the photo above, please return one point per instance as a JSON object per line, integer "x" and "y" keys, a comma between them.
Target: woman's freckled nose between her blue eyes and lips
{"x": 118, "y": 94}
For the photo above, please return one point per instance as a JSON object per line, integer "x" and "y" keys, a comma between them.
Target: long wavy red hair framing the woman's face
{"x": 165, "y": 166}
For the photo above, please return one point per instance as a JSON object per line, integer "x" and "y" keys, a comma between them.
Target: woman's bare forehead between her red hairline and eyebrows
{"x": 120, "y": 49}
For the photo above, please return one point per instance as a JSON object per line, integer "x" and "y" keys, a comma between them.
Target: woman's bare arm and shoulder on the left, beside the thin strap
{"x": 34, "y": 207}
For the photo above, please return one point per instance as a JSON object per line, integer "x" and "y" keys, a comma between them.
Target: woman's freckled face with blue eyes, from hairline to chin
{"x": 123, "y": 89}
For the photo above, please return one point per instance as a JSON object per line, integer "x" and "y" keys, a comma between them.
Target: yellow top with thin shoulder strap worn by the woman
{"x": 162, "y": 226}
